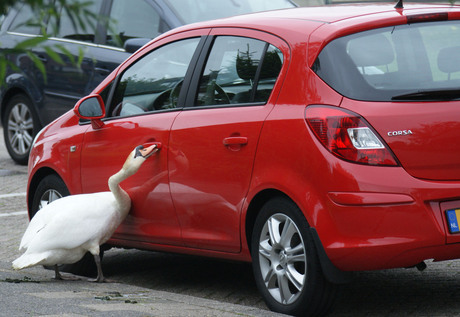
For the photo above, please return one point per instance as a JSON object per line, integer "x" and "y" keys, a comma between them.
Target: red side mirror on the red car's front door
{"x": 91, "y": 108}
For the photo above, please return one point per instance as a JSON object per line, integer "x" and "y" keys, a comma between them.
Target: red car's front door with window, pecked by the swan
{"x": 142, "y": 110}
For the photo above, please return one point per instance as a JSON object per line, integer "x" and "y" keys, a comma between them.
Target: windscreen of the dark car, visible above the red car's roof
{"x": 190, "y": 11}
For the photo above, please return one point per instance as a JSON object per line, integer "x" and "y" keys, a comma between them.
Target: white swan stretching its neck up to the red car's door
{"x": 64, "y": 230}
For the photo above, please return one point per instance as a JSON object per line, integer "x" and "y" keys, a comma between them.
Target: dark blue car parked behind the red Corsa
{"x": 29, "y": 101}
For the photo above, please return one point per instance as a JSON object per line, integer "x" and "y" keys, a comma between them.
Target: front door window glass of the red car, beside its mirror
{"x": 154, "y": 82}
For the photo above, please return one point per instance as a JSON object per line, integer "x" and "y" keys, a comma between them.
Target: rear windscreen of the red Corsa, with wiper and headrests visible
{"x": 418, "y": 61}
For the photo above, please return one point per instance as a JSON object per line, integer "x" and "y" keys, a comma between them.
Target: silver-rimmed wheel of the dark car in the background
{"x": 20, "y": 126}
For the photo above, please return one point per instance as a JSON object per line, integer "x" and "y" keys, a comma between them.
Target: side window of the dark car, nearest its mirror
{"x": 133, "y": 19}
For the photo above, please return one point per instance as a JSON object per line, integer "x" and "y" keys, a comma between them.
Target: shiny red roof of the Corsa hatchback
{"x": 320, "y": 25}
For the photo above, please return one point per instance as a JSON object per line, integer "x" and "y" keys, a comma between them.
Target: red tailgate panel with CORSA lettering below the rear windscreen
{"x": 425, "y": 143}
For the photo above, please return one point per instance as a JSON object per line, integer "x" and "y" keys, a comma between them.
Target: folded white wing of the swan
{"x": 71, "y": 222}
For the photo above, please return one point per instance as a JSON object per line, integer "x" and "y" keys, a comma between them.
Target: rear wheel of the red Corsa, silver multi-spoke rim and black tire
{"x": 285, "y": 262}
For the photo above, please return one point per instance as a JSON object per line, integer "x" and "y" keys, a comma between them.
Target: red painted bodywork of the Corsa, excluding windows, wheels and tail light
{"x": 214, "y": 163}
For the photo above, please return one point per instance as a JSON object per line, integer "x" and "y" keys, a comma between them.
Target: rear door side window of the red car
{"x": 234, "y": 73}
